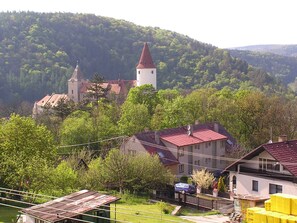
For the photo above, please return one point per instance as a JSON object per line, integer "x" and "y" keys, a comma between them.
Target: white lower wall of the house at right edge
{"x": 244, "y": 185}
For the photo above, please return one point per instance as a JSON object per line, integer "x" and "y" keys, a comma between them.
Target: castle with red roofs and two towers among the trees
{"x": 146, "y": 73}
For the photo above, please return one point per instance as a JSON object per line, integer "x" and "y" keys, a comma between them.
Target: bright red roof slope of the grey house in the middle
{"x": 198, "y": 136}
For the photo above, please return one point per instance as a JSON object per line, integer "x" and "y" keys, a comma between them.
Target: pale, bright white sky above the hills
{"x": 221, "y": 23}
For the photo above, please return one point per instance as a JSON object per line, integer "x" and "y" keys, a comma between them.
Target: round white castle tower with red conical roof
{"x": 146, "y": 71}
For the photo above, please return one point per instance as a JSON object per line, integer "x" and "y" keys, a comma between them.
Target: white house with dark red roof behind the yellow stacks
{"x": 270, "y": 168}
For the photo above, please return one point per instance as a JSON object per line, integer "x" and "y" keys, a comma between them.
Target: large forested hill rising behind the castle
{"x": 38, "y": 52}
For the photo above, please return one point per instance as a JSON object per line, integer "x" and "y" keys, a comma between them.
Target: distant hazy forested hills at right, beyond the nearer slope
{"x": 280, "y": 66}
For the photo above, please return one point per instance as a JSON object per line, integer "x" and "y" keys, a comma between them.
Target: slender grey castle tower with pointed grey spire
{"x": 75, "y": 84}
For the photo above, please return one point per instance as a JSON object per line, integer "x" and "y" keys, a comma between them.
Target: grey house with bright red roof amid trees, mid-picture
{"x": 185, "y": 149}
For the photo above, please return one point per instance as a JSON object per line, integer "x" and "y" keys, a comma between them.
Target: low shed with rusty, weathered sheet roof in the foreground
{"x": 81, "y": 206}
